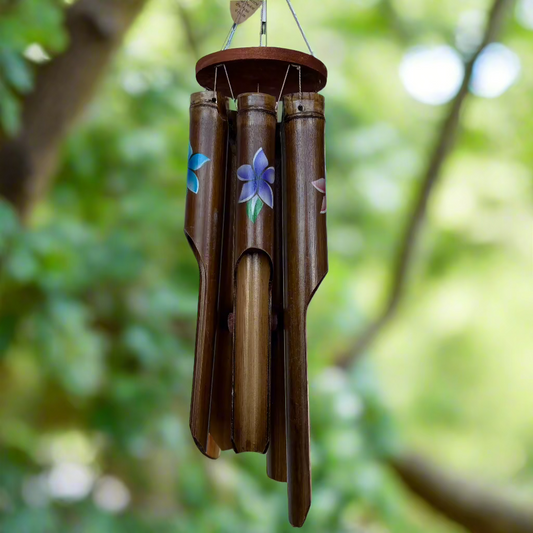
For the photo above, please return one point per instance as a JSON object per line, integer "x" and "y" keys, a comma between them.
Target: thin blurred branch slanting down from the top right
{"x": 417, "y": 217}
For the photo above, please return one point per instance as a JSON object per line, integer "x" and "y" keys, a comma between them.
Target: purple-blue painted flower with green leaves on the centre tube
{"x": 257, "y": 191}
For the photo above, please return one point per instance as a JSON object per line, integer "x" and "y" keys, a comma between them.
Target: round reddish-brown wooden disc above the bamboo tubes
{"x": 261, "y": 69}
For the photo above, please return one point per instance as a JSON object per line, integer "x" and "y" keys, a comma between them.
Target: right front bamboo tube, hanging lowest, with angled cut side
{"x": 306, "y": 265}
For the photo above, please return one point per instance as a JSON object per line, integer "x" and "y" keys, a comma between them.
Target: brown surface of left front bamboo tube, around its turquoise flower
{"x": 203, "y": 227}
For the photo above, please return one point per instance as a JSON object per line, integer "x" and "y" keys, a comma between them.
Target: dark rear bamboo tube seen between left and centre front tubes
{"x": 220, "y": 423}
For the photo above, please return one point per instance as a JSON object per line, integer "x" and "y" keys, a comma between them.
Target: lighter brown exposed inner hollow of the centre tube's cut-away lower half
{"x": 252, "y": 343}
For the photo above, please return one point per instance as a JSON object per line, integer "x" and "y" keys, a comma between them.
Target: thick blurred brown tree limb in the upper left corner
{"x": 63, "y": 87}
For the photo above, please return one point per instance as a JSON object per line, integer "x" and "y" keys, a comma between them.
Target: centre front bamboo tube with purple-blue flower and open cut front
{"x": 254, "y": 250}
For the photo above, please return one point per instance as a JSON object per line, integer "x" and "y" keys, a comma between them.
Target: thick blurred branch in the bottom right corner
{"x": 473, "y": 507}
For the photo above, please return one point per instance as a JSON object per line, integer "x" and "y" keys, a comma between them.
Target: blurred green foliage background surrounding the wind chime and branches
{"x": 98, "y": 294}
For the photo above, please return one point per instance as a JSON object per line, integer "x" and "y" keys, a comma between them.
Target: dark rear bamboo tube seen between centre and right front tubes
{"x": 277, "y": 451}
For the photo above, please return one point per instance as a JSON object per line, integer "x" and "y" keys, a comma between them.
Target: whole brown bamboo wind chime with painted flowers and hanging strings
{"x": 256, "y": 221}
